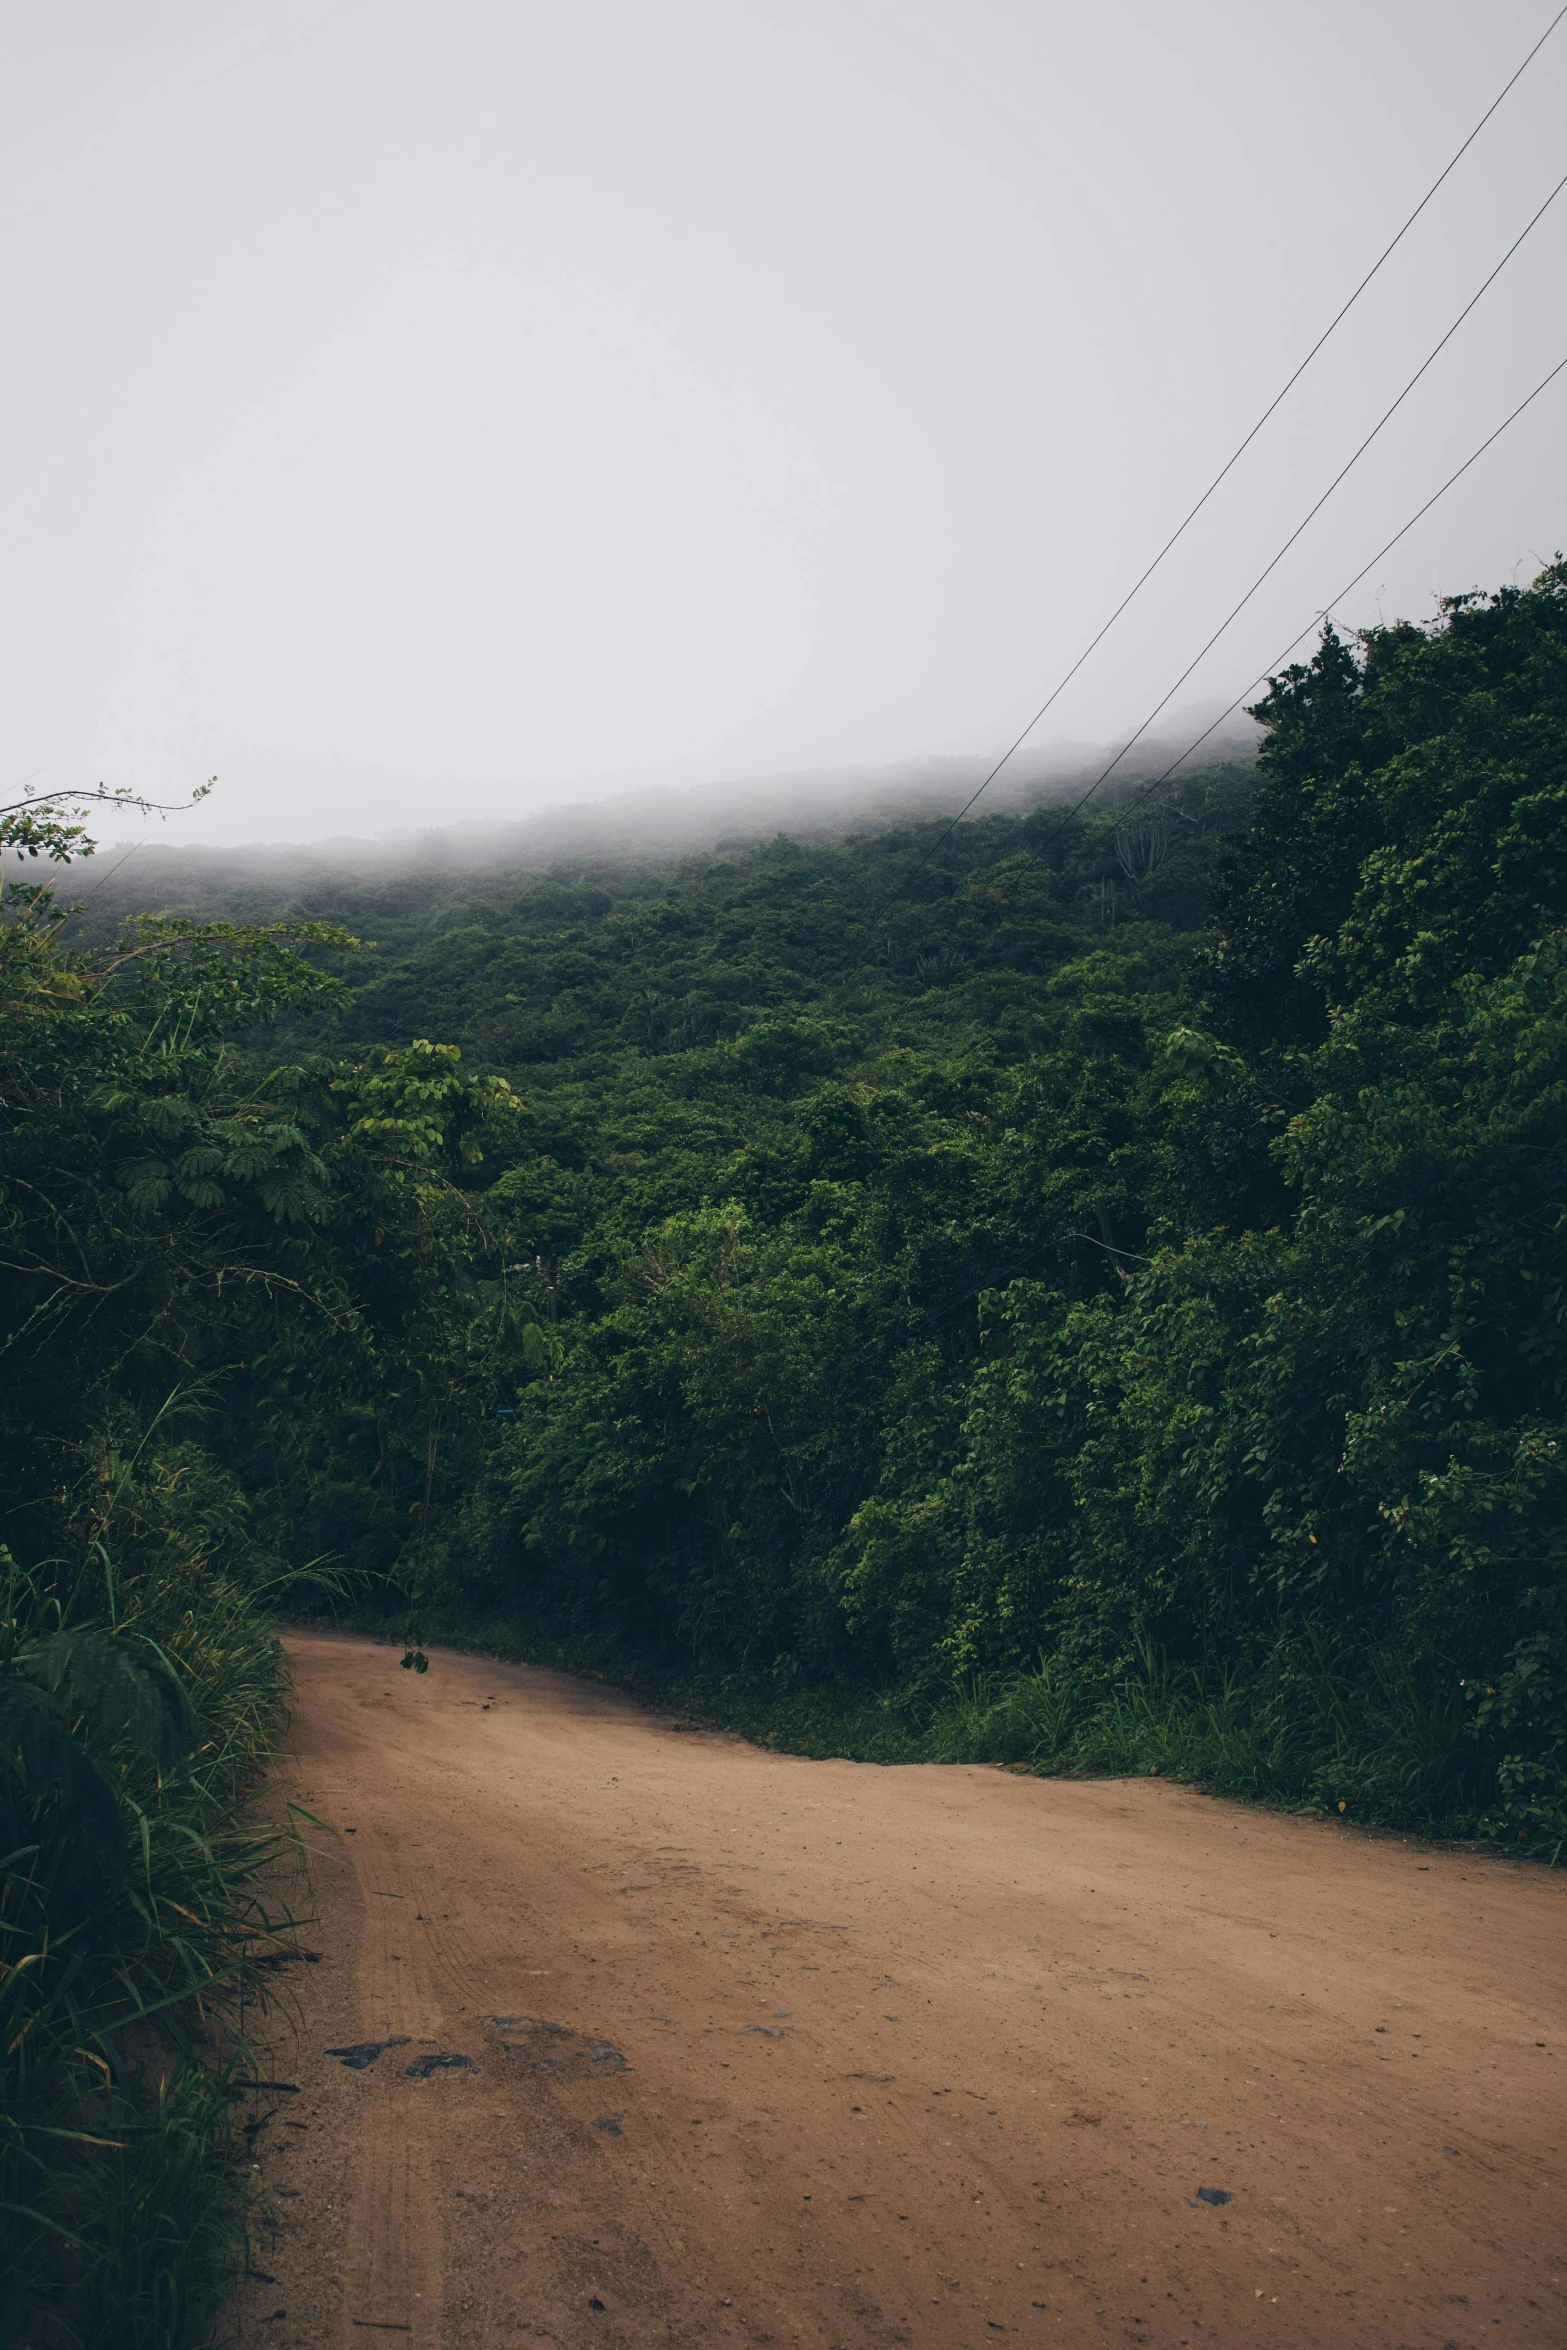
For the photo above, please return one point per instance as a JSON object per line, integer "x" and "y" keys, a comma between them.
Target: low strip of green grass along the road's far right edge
{"x": 1378, "y": 1747}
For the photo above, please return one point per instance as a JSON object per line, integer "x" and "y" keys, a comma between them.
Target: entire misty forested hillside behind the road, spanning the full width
{"x": 1087, "y": 1291}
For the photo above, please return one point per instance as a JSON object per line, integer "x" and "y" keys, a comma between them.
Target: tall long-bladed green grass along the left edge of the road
{"x": 135, "y": 1724}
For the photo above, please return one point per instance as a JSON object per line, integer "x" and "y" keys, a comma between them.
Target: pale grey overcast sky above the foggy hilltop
{"x": 438, "y": 408}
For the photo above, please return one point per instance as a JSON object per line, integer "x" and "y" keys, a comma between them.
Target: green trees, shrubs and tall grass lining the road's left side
{"x": 194, "y": 1244}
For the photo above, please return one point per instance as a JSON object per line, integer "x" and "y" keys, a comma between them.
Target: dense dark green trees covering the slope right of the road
{"x": 1009, "y": 1261}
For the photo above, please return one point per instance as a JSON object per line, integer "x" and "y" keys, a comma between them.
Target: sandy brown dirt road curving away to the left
{"x": 755, "y": 2050}
